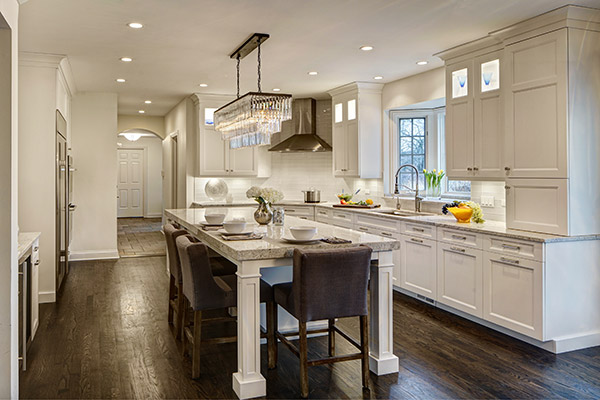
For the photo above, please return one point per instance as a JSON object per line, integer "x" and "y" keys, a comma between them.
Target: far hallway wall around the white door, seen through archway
{"x": 152, "y": 172}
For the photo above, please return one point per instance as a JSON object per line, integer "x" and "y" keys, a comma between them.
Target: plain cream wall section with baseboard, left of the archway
{"x": 93, "y": 141}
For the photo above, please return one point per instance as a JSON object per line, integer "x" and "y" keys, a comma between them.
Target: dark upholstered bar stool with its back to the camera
{"x": 327, "y": 284}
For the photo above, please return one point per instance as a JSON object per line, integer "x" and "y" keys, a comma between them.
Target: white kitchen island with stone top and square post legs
{"x": 272, "y": 251}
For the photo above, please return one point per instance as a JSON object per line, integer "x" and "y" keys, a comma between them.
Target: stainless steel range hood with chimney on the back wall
{"x": 304, "y": 139}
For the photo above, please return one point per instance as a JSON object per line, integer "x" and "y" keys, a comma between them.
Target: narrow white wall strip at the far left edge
{"x": 9, "y": 374}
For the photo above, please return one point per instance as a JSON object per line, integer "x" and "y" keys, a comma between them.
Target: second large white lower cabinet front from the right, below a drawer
{"x": 460, "y": 278}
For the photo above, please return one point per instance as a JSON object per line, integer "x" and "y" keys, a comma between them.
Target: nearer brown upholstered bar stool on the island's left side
{"x": 205, "y": 291}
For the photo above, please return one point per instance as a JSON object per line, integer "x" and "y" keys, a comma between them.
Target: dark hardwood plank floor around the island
{"x": 107, "y": 337}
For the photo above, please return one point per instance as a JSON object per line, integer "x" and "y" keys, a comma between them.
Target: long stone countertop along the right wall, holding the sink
{"x": 491, "y": 227}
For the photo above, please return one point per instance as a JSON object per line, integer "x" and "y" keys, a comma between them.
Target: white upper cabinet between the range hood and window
{"x": 357, "y": 130}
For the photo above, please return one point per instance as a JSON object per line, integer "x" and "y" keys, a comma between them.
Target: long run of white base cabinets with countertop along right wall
{"x": 539, "y": 288}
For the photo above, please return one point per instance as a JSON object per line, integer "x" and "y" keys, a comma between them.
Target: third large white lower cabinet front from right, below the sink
{"x": 418, "y": 266}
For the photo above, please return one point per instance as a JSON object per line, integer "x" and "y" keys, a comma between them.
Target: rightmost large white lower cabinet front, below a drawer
{"x": 512, "y": 292}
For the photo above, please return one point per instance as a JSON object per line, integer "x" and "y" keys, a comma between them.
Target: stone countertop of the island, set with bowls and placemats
{"x": 272, "y": 246}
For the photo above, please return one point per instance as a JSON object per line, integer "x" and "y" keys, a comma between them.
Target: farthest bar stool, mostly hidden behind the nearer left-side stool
{"x": 220, "y": 266}
